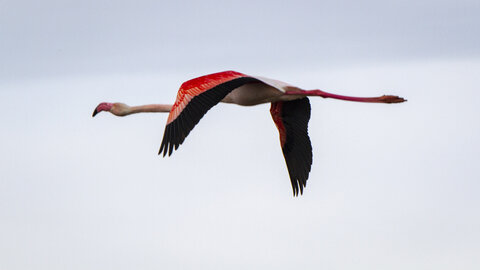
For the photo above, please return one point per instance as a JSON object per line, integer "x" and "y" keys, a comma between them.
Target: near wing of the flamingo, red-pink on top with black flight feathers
{"x": 194, "y": 99}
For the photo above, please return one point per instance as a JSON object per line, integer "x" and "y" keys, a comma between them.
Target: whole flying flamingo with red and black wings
{"x": 290, "y": 110}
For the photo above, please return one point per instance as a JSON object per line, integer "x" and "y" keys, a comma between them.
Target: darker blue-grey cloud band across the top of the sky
{"x": 53, "y": 38}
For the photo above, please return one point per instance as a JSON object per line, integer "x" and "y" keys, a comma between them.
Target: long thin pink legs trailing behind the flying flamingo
{"x": 320, "y": 93}
